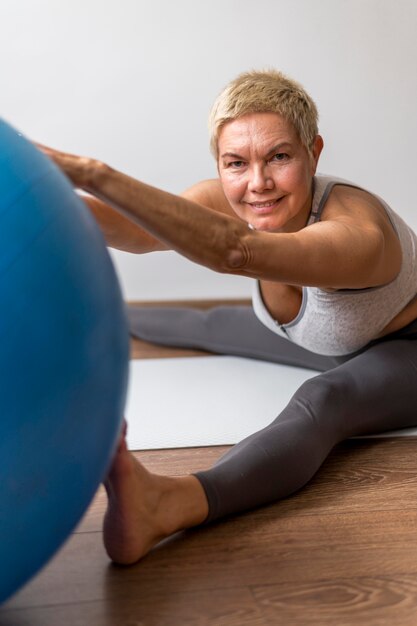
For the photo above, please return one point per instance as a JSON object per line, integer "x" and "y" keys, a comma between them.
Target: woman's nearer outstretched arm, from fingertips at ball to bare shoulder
{"x": 347, "y": 251}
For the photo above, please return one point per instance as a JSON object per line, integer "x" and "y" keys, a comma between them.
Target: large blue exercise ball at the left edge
{"x": 63, "y": 359}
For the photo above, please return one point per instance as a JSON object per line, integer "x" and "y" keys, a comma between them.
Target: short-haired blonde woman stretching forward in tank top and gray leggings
{"x": 336, "y": 287}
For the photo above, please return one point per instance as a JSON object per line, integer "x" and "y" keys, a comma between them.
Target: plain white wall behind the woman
{"x": 131, "y": 82}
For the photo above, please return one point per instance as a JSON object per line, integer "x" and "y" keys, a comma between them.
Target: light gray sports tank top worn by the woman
{"x": 344, "y": 321}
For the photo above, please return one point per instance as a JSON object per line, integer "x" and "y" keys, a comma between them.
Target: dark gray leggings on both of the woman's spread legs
{"x": 368, "y": 392}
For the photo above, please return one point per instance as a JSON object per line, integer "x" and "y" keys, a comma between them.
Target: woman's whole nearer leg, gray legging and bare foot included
{"x": 373, "y": 392}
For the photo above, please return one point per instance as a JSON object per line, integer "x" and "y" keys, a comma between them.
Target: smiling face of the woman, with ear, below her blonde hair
{"x": 266, "y": 172}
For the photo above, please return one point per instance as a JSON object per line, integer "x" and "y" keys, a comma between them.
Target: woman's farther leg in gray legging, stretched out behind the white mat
{"x": 232, "y": 330}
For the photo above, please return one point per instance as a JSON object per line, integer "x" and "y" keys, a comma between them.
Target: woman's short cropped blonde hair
{"x": 267, "y": 91}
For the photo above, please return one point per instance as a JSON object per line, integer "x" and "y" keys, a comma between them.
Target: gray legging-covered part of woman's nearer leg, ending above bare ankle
{"x": 373, "y": 392}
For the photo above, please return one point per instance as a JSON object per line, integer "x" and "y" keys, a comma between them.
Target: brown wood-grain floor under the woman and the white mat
{"x": 343, "y": 551}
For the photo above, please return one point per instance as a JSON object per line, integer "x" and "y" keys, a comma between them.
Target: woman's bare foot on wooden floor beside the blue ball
{"x": 144, "y": 508}
